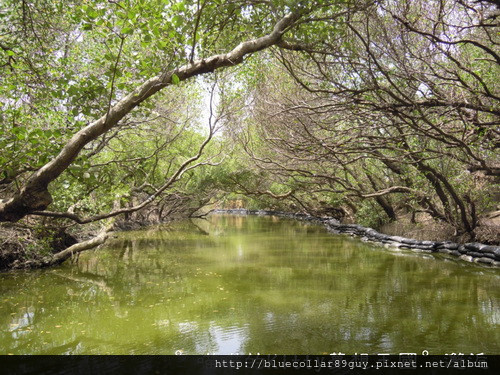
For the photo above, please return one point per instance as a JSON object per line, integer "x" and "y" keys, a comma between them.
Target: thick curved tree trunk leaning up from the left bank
{"x": 34, "y": 195}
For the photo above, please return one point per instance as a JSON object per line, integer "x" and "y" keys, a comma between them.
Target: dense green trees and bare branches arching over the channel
{"x": 142, "y": 109}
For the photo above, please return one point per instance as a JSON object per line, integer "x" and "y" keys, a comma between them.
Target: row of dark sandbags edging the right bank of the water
{"x": 473, "y": 252}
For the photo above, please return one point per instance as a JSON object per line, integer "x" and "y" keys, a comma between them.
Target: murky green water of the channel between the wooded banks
{"x": 244, "y": 285}
